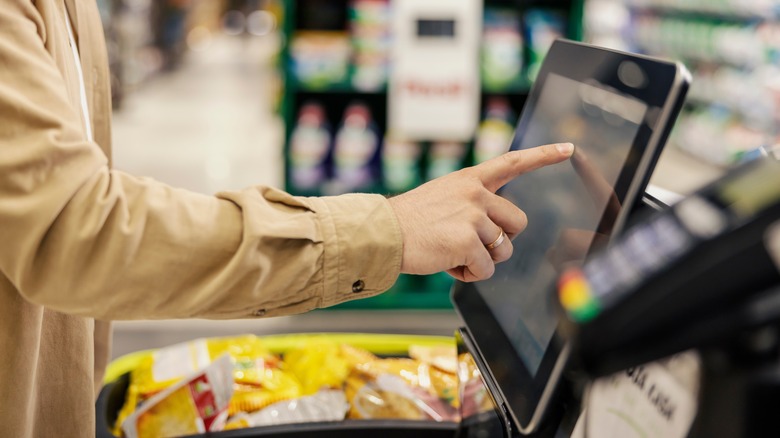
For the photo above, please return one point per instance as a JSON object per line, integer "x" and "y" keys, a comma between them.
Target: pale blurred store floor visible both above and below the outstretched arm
{"x": 210, "y": 126}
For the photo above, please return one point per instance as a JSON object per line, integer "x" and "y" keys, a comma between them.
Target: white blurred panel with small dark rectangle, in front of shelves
{"x": 434, "y": 88}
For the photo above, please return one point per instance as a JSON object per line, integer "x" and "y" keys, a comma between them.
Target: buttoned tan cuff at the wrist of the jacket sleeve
{"x": 363, "y": 246}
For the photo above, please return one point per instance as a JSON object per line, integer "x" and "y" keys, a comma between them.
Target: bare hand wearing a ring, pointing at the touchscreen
{"x": 447, "y": 223}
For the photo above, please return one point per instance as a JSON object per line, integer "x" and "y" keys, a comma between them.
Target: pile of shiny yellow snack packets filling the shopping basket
{"x": 211, "y": 384}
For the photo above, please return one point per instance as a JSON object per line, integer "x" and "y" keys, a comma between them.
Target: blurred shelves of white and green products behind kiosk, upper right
{"x": 733, "y": 49}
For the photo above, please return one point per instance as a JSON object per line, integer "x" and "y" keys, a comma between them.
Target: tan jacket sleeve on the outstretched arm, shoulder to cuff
{"x": 83, "y": 239}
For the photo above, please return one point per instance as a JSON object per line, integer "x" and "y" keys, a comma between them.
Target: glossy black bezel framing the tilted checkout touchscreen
{"x": 521, "y": 391}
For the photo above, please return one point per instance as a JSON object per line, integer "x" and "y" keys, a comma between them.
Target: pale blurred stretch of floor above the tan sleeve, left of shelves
{"x": 207, "y": 126}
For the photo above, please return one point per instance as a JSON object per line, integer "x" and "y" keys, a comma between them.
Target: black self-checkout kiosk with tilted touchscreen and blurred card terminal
{"x": 620, "y": 318}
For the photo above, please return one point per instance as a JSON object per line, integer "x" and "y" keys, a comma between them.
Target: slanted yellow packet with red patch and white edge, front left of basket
{"x": 195, "y": 404}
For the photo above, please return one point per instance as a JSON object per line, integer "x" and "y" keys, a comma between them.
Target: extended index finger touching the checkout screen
{"x": 498, "y": 171}
